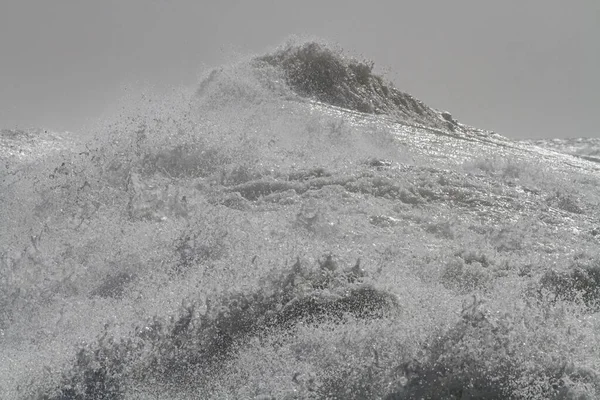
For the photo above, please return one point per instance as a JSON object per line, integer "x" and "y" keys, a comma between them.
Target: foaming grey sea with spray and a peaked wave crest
{"x": 296, "y": 228}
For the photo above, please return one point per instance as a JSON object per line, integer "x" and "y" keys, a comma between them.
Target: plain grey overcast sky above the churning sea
{"x": 524, "y": 68}
